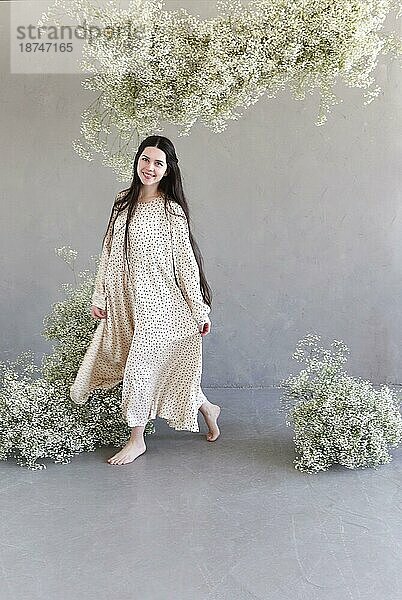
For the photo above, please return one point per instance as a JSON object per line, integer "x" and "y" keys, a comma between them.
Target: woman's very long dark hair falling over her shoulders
{"x": 172, "y": 189}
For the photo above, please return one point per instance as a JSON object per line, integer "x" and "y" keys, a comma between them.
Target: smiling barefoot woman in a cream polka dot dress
{"x": 153, "y": 300}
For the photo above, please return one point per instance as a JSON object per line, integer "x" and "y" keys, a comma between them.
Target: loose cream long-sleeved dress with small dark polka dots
{"x": 151, "y": 336}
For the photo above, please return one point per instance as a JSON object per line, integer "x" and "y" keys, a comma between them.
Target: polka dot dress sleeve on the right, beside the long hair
{"x": 186, "y": 268}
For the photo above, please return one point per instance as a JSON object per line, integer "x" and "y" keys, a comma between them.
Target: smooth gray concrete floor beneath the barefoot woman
{"x": 193, "y": 520}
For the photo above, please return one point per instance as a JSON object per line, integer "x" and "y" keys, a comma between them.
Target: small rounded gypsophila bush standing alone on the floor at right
{"x": 336, "y": 418}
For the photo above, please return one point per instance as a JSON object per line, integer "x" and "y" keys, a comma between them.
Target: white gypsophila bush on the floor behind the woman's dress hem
{"x": 38, "y": 418}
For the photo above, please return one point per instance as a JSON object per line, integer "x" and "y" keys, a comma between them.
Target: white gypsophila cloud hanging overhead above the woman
{"x": 151, "y": 65}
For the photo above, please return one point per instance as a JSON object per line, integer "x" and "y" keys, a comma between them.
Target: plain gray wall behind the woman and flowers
{"x": 300, "y": 226}
